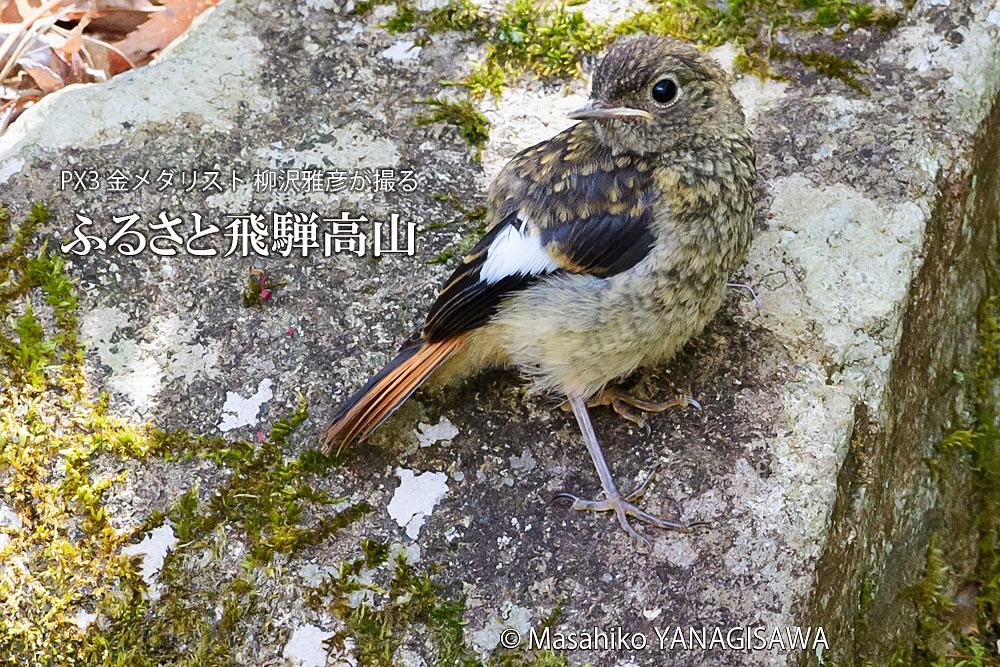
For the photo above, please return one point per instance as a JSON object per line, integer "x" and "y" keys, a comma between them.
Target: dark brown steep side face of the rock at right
{"x": 888, "y": 503}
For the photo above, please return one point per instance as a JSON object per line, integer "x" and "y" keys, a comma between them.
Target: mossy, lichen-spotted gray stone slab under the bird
{"x": 162, "y": 502}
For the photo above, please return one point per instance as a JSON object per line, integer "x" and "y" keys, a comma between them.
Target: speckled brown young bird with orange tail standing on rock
{"x": 609, "y": 246}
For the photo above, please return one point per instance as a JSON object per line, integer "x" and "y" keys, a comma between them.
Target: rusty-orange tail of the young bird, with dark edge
{"x": 386, "y": 391}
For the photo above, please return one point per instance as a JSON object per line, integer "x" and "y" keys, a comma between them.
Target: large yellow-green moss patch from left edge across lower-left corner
{"x": 67, "y": 558}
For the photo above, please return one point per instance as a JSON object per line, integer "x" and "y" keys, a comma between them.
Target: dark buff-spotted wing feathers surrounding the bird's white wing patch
{"x": 592, "y": 214}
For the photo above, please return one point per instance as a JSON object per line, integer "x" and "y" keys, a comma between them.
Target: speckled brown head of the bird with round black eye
{"x": 657, "y": 94}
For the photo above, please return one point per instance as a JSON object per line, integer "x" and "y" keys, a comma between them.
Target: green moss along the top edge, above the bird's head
{"x": 550, "y": 41}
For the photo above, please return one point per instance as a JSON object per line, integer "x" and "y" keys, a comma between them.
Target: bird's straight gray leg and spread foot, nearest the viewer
{"x": 613, "y": 500}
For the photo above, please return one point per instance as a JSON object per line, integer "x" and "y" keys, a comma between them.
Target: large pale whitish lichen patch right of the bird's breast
{"x": 846, "y": 263}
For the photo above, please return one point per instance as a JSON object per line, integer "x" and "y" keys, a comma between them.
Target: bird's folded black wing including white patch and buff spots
{"x": 595, "y": 220}
